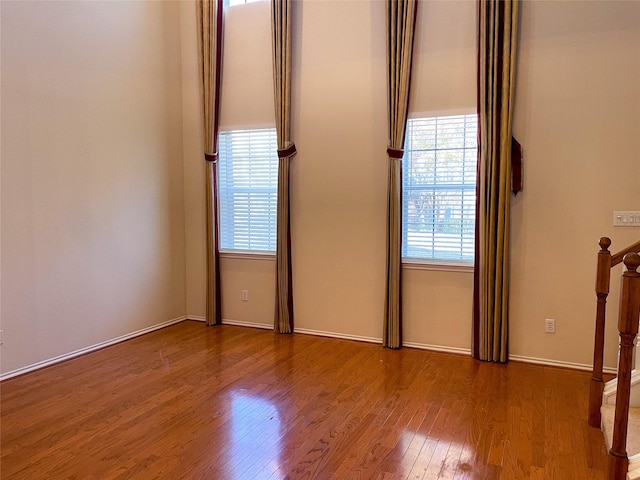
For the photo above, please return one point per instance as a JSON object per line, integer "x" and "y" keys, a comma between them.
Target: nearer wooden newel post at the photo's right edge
{"x": 628, "y": 327}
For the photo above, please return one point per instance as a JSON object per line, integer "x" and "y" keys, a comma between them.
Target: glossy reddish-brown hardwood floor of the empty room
{"x": 226, "y": 402}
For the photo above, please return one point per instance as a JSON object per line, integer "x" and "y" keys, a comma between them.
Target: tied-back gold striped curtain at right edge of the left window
{"x": 281, "y": 13}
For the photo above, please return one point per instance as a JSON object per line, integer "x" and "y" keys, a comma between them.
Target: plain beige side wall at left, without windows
{"x": 92, "y": 178}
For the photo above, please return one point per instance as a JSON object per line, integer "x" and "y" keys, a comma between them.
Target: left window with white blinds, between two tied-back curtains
{"x": 248, "y": 183}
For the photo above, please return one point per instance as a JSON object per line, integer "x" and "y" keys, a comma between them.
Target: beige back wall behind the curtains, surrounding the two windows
{"x": 577, "y": 118}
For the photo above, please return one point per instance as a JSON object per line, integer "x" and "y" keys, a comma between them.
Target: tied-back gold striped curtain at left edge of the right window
{"x": 401, "y": 21}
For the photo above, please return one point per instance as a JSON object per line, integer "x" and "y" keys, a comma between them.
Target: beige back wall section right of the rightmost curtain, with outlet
{"x": 578, "y": 118}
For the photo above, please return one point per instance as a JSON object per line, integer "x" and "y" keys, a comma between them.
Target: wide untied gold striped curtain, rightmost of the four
{"x": 497, "y": 35}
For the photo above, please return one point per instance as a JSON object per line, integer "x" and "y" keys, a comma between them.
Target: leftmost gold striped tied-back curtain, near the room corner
{"x": 210, "y": 23}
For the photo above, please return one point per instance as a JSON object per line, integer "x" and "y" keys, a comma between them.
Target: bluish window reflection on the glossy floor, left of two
{"x": 255, "y": 438}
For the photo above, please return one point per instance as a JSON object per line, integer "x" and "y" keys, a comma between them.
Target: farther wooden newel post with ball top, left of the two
{"x": 596, "y": 386}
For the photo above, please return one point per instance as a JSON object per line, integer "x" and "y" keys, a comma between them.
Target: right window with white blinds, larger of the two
{"x": 439, "y": 181}
